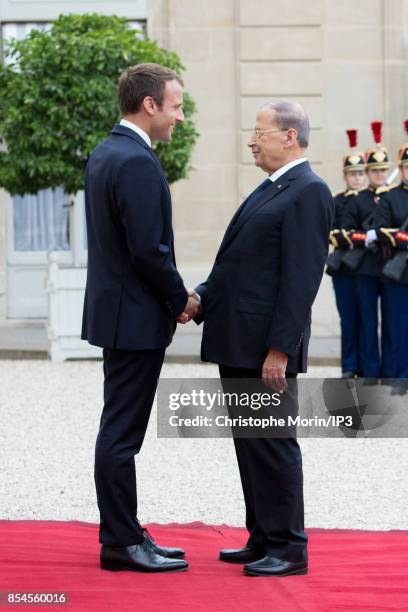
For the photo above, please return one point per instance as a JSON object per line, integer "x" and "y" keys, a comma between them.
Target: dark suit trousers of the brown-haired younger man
{"x": 130, "y": 384}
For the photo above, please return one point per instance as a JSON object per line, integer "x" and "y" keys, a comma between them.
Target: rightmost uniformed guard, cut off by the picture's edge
{"x": 391, "y": 224}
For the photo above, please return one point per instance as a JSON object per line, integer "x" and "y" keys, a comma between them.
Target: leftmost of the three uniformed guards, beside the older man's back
{"x": 343, "y": 278}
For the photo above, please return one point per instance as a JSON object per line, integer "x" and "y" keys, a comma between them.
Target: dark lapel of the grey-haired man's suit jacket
{"x": 276, "y": 188}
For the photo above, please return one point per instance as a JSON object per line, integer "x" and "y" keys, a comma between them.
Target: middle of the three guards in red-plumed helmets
{"x": 358, "y": 218}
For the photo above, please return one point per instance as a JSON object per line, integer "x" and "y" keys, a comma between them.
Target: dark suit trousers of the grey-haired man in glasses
{"x": 272, "y": 482}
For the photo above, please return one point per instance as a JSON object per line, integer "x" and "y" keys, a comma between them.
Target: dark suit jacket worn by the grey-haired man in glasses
{"x": 267, "y": 272}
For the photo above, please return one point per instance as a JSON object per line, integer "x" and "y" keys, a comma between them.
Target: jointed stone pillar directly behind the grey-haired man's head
{"x": 280, "y": 53}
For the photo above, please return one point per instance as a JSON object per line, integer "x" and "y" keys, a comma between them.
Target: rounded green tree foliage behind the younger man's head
{"x": 58, "y": 100}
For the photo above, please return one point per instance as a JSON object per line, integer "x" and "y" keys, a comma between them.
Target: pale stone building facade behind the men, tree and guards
{"x": 345, "y": 61}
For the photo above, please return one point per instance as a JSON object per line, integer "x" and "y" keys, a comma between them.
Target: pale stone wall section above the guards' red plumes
{"x": 365, "y": 55}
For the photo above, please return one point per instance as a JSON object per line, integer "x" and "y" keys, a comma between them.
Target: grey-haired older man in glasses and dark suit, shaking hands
{"x": 256, "y": 308}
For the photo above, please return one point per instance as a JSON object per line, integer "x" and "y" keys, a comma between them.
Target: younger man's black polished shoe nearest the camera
{"x": 139, "y": 558}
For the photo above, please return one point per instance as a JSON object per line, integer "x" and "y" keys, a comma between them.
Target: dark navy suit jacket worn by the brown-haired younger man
{"x": 133, "y": 292}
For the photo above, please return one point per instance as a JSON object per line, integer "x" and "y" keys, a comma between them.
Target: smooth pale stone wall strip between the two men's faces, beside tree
{"x": 204, "y": 35}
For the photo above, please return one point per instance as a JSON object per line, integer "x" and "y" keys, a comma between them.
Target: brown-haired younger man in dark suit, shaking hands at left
{"x": 133, "y": 298}
